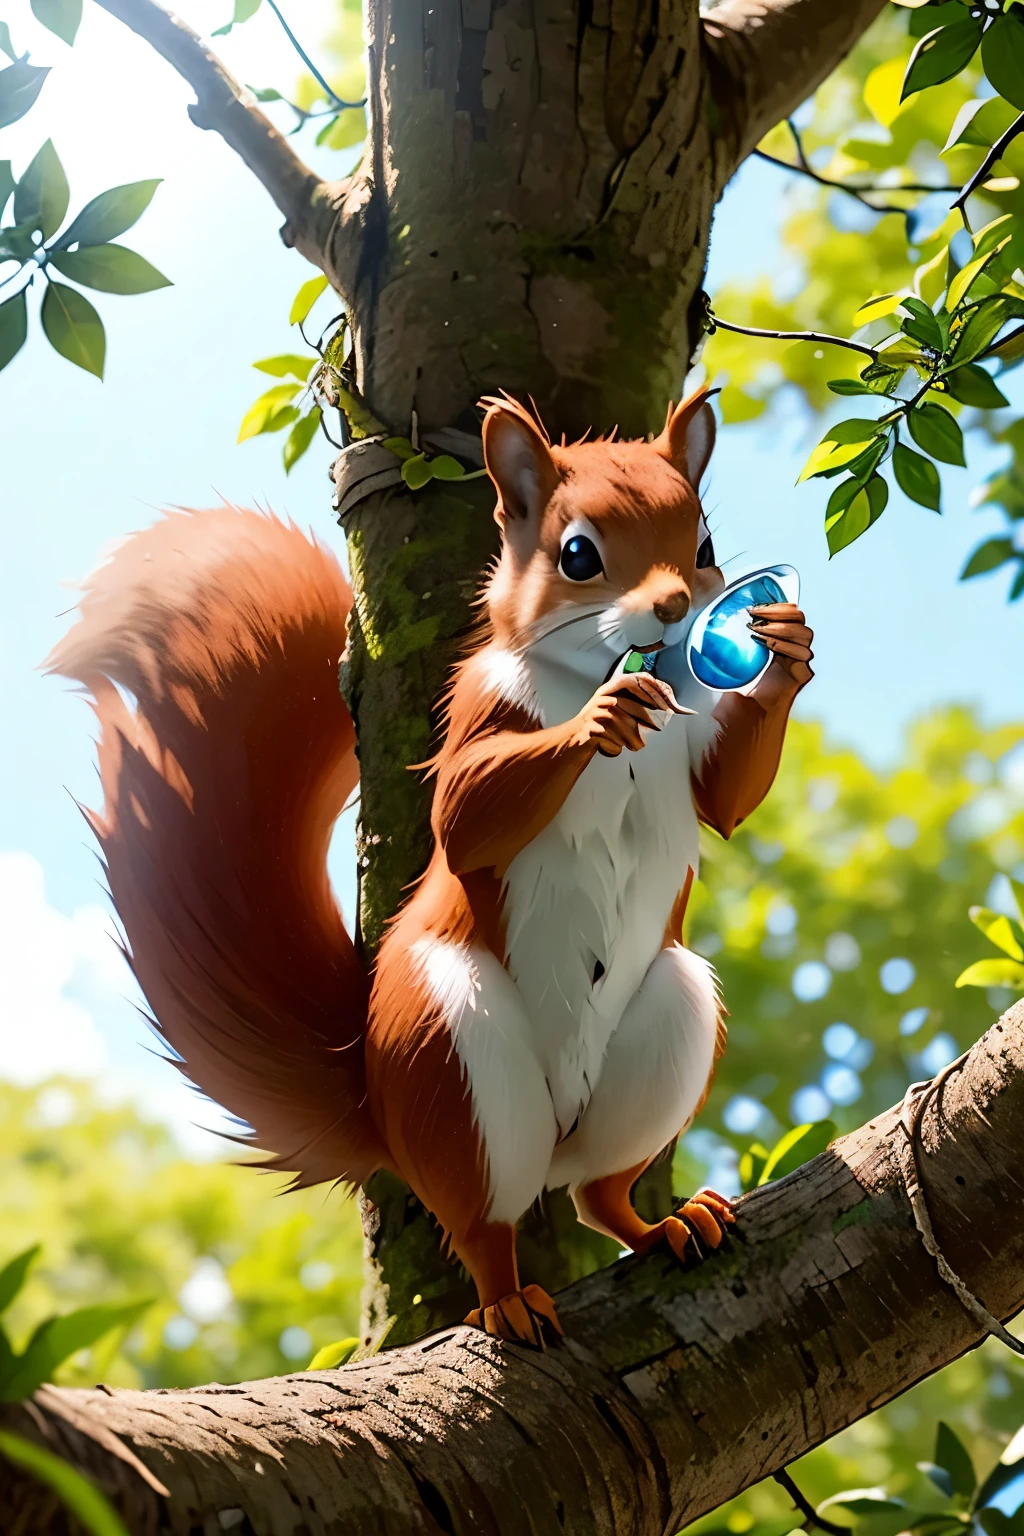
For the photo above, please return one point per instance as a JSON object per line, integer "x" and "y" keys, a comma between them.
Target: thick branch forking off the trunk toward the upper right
{"x": 773, "y": 55}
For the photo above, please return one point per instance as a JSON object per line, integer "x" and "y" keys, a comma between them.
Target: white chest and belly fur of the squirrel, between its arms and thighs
{"x": 589, "y": 899}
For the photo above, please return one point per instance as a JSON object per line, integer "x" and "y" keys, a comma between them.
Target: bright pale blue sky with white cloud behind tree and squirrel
{"x": 84, "y": 463}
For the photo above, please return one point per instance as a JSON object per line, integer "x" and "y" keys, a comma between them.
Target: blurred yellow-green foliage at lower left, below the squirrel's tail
{"x": 245, "y": 1283}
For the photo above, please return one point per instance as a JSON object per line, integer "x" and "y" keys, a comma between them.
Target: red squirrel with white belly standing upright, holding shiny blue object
{"x": 533, "y": 1019}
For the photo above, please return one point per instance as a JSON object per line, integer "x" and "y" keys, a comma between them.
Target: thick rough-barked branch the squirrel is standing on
{"x": 673, "y": 1391}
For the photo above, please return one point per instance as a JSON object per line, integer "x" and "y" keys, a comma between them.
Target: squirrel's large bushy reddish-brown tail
{"x": 223, "y": 775}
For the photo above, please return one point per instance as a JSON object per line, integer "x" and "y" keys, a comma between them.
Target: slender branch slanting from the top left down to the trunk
{"x": 309, "y": 205}
